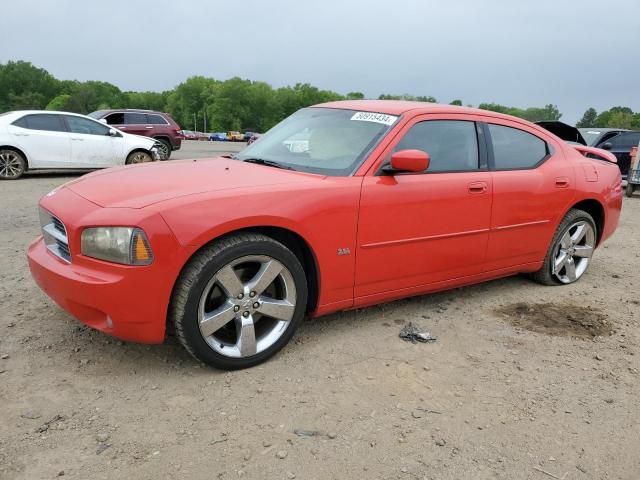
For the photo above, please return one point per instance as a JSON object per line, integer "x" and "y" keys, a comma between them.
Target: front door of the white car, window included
{"x": 91, "y": 144}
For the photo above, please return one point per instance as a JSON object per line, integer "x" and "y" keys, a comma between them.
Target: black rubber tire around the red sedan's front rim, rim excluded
{"x": 189, "y": 321}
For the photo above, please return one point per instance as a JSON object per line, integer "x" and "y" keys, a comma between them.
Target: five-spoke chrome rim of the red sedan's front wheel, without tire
{"x": 247, "y": 306}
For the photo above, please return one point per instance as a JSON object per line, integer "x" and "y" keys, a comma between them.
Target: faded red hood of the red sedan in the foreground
{"x": 138, "y": 186}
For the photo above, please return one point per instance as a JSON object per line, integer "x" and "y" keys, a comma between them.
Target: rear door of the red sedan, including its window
{"x": 532, "y": 185}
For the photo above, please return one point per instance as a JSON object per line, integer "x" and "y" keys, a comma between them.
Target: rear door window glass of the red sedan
{"x": 516, "y": 149}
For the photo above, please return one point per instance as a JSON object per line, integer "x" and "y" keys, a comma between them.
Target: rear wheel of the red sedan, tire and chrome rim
{"x": 570, "y": 251}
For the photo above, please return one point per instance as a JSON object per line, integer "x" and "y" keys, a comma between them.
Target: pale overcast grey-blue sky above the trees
{"x": 572, "y": 53}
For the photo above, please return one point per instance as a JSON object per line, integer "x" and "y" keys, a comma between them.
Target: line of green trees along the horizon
{"x": 233, "y": 104}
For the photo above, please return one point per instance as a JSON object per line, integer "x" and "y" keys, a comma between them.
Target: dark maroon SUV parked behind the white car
{"x": 148, "y": 123}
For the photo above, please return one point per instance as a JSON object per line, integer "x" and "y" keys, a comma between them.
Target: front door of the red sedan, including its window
{"x": 417, "y": 229}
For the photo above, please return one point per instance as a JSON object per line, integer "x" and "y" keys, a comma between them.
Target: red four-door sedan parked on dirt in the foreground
{"x": 341, "y": 205}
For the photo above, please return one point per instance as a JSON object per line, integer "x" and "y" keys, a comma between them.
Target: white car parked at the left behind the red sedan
{"x": 34, "y": 139}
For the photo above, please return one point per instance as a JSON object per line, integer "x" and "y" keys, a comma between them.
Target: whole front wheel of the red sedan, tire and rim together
{"x": 239, "y": 301}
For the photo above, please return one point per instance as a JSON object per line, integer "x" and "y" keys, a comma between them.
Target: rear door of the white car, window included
{"x": 44, "y": 139}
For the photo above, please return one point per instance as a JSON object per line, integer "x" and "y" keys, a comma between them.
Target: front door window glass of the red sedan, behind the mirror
{"x": 451, "y": 144}
